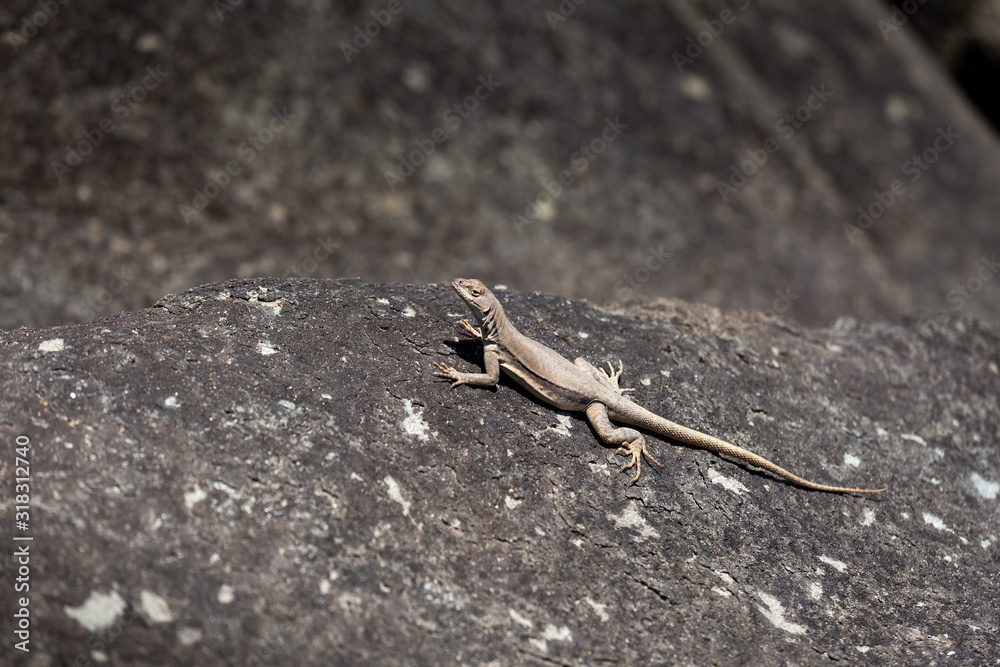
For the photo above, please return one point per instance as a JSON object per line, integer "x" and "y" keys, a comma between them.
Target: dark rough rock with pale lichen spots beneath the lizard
{"x": 265, "y": 472}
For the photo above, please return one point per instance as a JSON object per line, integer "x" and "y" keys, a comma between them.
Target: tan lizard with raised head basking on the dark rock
{"x": 581, "y": 387}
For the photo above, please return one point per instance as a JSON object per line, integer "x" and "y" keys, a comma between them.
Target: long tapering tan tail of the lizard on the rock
{"x": 636, "y": 415}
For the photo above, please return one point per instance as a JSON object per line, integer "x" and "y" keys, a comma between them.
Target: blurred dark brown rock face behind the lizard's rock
{"x": 109, "y": 236}
